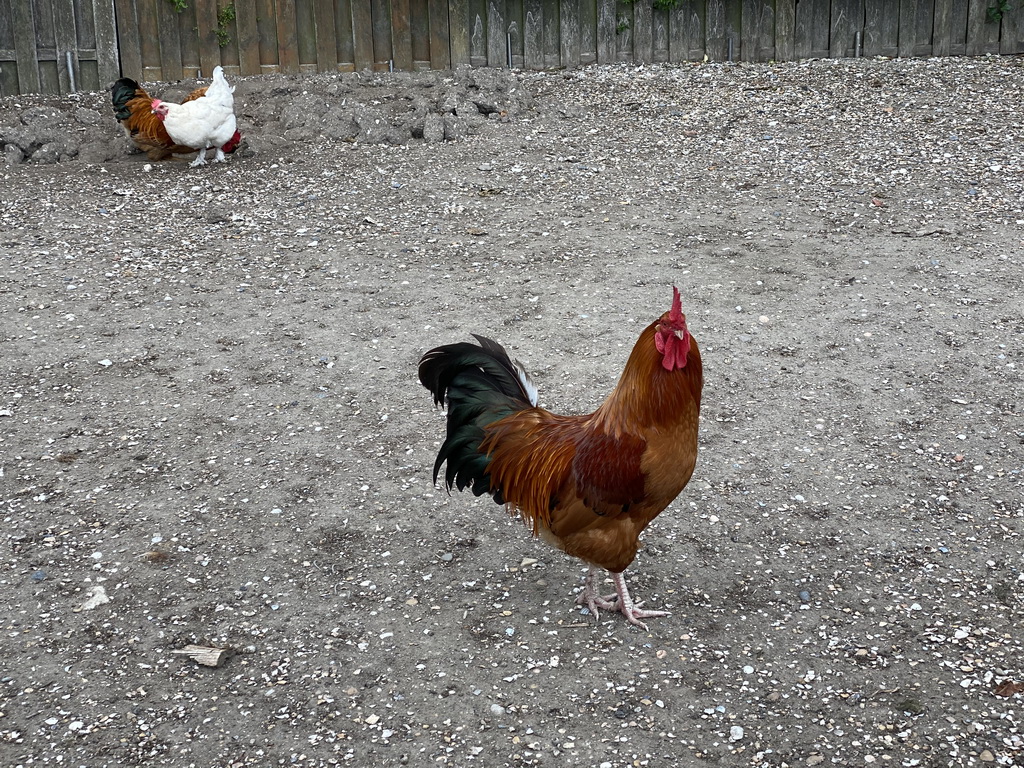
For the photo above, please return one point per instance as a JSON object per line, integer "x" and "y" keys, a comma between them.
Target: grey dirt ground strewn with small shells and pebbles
{"x": 211, "y": 431}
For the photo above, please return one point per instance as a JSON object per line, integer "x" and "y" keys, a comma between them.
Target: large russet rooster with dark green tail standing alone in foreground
{"x": 587, "y": 485}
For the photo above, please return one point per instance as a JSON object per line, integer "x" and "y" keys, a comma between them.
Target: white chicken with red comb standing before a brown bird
{"x": 202, "y": 123}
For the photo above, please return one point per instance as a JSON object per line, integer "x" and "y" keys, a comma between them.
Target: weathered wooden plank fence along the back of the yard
{"x": 51, "y": 46}
